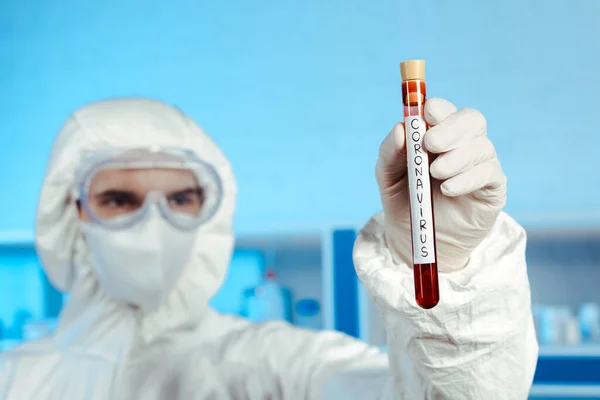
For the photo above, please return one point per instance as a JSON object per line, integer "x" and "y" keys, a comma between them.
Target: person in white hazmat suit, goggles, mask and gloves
{"x": 135, "y": 221}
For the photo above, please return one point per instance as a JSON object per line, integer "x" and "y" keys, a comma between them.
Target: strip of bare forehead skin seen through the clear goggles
{"x": 142, "y": 180}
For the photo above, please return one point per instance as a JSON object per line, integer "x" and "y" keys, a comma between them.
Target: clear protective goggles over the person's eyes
{"x": 116, "y": 188}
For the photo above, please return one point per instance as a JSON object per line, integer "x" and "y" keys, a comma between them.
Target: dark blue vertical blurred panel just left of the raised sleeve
{"x": 345, "y": 291}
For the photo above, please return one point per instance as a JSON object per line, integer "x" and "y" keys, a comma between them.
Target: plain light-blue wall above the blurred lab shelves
{"x": 302, "y": 93}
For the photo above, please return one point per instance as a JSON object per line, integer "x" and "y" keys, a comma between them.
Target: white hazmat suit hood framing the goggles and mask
{"x": 125, "y": 124}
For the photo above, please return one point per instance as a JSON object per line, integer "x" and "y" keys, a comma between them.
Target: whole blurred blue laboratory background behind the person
{"x": 299, "y": 95}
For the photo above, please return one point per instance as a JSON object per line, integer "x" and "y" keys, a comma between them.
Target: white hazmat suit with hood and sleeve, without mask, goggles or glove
{"x": 478, "y": 343}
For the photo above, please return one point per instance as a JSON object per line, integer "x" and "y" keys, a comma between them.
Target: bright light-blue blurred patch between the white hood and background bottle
{"x": 246, "y": 270}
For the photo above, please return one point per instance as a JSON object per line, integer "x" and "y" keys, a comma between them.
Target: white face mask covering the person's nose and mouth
{"x": 141, "y": 264}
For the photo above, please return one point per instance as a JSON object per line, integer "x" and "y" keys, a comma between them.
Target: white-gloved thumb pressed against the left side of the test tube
{"x": 391, "y": 164}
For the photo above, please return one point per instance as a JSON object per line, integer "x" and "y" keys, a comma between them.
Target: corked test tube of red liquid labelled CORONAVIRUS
{"x": 422, "y": 224}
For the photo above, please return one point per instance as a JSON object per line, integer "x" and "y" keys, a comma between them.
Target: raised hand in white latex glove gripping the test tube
{"x": 469, "y": 187}
